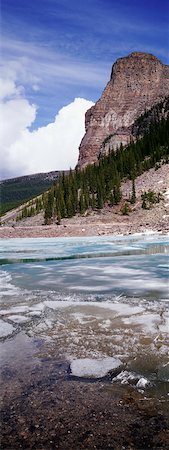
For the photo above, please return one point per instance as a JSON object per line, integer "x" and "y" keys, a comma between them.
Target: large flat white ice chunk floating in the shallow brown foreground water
{"x": 94, "y": 368}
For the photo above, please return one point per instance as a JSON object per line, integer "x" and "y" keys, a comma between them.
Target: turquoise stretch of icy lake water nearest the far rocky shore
{"x": 125, "y": 265}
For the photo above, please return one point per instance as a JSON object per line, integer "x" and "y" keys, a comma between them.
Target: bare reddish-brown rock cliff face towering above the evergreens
{"x": 137, "y": 82}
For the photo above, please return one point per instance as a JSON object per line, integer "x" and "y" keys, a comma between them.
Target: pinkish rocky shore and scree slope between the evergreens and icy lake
{"x": 106, "y": 221}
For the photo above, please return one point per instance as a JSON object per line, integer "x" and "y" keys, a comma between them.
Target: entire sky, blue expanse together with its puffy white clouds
{"x": 56, "y": 59}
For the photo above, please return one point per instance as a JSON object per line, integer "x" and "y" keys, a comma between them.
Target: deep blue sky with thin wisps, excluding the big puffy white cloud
{"x": 57, "y": 50}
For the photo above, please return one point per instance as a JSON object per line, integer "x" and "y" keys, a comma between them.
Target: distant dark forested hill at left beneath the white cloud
{"x": 16, "y": 191}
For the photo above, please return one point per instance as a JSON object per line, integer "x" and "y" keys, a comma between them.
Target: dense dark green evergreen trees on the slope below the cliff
{"x": 98, "y": 184}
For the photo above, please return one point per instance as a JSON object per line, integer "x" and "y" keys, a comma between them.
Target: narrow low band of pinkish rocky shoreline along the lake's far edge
{"x": 104, "y": 223}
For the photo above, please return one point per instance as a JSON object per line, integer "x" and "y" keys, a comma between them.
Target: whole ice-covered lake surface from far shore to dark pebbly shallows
{"x": 100, "y": 297}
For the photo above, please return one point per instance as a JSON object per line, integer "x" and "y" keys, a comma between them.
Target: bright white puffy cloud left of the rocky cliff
{"x": 53, "y": 147}
